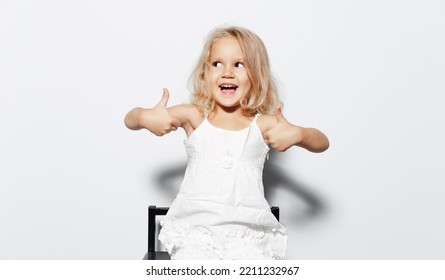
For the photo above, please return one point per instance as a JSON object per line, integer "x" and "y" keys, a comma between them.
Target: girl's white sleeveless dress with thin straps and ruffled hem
{"x": 220, "y": 211}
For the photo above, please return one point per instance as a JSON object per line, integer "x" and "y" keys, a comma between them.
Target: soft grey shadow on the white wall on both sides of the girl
{"x": 168, "y": 180}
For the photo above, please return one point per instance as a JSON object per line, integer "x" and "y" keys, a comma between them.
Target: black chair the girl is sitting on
{"x": 154, "y": 211}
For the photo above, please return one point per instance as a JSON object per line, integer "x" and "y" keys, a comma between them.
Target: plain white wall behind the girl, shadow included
{"x": 75, "y": 183}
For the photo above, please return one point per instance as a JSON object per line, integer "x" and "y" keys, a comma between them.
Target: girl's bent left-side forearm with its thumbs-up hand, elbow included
{"x": 159, "y": 120}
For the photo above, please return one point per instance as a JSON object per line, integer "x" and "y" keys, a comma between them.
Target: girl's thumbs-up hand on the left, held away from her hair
{"x": 157, "y": 119}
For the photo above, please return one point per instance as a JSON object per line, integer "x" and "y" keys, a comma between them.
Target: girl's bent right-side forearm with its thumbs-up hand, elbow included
{"x": 281, "y": 135}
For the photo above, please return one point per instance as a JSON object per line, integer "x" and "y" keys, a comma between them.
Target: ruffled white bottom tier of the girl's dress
{"x": 232, "y": 242}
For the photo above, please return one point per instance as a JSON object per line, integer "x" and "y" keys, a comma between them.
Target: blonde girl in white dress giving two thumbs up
{"x": 220, "y": 211}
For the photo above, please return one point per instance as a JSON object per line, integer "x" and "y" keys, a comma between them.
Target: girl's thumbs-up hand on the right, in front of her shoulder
{"x": 284, "y": 134}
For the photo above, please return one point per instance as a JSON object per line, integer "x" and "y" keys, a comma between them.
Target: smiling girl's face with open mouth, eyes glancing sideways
{"x": 229, "y": 81}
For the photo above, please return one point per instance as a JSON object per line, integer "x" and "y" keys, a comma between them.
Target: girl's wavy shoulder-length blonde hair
{"x": 263, "y": 97}
